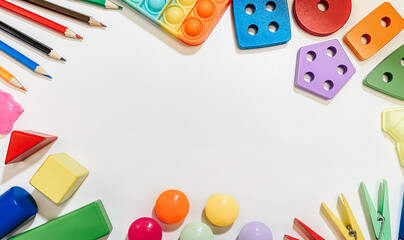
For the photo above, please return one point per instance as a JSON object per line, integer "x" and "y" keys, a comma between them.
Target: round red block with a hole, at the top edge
{"x": 321, "y": 18}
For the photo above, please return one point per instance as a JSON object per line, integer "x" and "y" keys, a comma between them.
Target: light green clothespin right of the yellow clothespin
{"x": 380, "y": 218}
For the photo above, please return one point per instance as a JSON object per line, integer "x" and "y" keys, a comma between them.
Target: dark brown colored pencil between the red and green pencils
{"x": 65, "y": 11}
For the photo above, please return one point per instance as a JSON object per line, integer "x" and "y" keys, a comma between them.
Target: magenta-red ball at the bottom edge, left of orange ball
{"x": 145, "y": 229}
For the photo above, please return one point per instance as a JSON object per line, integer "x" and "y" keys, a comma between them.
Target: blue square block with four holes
{"x": 261, "y": 23}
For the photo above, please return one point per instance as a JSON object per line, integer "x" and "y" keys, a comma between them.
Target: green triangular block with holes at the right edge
{"x": 388, "y": 76}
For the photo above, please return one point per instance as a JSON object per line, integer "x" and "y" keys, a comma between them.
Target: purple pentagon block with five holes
{"x": 323, "y": 68}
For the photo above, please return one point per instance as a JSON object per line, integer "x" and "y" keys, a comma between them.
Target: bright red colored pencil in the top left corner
{"x": 39, "y": 19}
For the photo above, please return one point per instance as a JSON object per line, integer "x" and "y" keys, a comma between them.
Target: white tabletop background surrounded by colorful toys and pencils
{"x": 146, "y": 113}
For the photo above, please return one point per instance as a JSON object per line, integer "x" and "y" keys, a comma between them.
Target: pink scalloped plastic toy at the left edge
{"x": 10, "y": 111}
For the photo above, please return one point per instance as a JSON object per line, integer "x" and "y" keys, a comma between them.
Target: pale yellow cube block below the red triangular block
{"x": 59, "y": 177}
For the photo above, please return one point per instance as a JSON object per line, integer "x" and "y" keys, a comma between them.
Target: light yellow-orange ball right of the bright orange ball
{"x": 221, "y": 210}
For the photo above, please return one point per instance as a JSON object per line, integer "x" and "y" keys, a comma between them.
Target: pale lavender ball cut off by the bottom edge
{"x": 255, "y": 231}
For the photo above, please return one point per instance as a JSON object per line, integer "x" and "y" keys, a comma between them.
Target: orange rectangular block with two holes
{"x": 374, "y": 31}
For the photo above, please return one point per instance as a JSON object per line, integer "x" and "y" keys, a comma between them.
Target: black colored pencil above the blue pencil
{"x": 29, "y": 40}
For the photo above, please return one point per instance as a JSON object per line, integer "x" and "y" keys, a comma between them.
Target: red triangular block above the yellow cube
{"x": 25, "y": 143}
